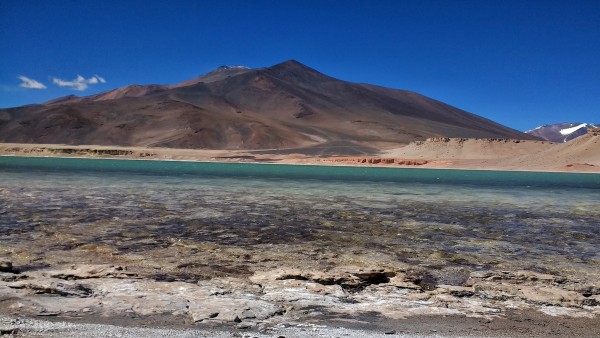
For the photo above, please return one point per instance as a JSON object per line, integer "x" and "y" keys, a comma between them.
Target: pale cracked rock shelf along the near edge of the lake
{"x": 351, "y": 296}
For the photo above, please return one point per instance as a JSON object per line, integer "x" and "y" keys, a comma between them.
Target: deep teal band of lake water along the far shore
{"x": 489, "y": 178}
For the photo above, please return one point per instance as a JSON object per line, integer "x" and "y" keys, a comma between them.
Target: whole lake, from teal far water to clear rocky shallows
{"x": 436, "y": 218}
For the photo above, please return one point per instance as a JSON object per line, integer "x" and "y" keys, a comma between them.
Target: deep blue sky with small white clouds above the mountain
{"x": 520, "y": 63}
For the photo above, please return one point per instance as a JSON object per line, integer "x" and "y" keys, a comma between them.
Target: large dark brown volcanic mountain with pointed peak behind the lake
{"x": 284, "y": 106}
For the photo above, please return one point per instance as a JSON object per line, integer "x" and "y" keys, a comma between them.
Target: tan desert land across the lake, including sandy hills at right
{"x": 579, "y": 155}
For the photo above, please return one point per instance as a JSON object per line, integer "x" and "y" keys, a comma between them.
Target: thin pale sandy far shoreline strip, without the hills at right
{"x": 244, "y": 156}
